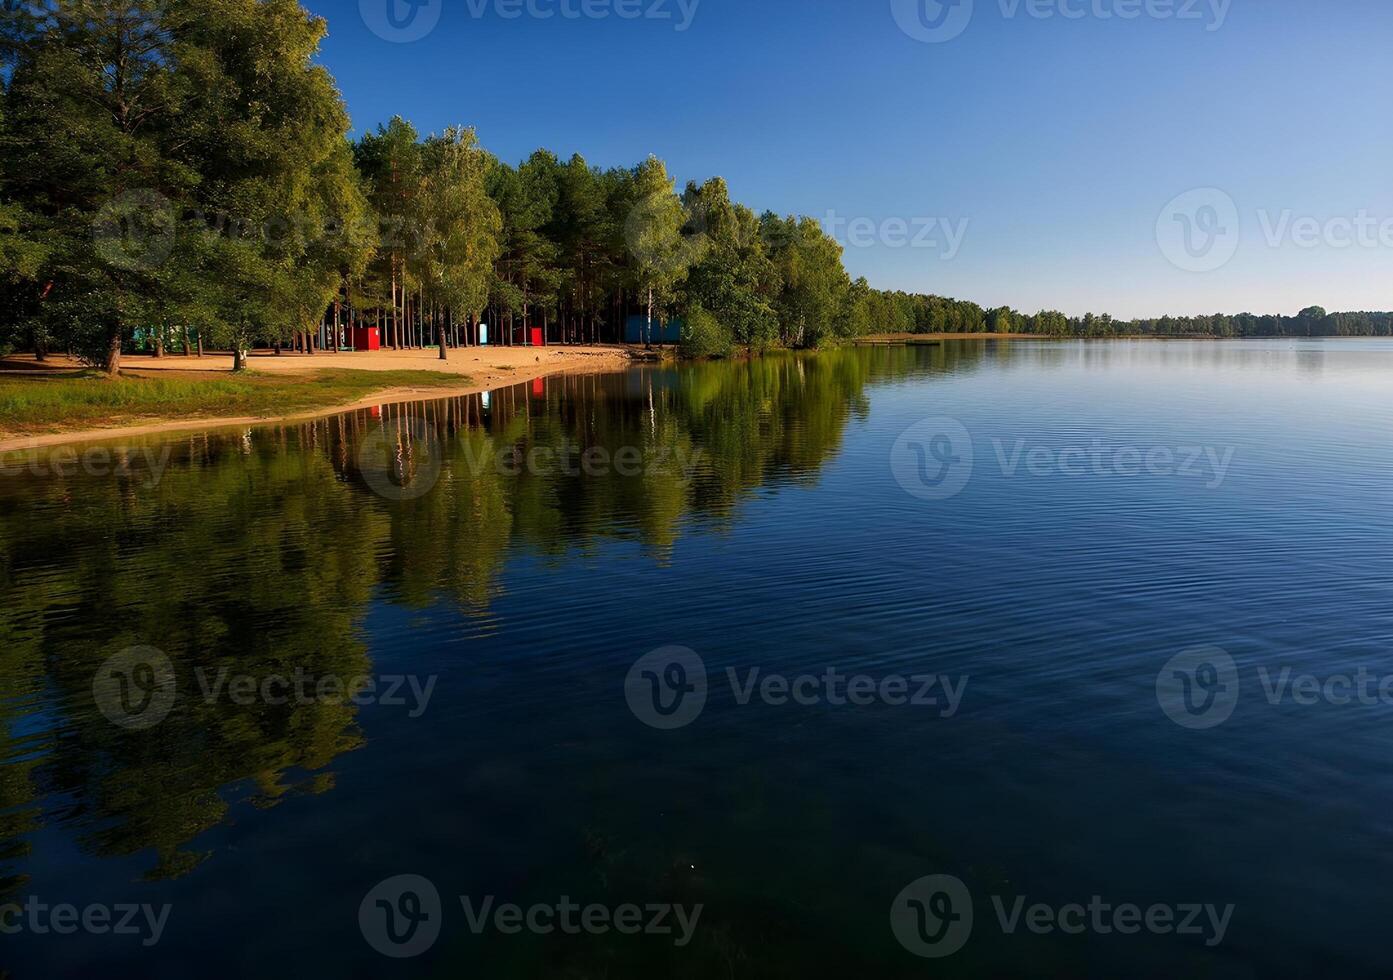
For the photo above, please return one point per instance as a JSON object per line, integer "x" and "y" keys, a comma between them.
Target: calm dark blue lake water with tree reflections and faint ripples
{"x": 1072, "y": 519}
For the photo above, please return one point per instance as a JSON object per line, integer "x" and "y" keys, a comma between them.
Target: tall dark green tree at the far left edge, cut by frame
{"x": 91, "y": 109}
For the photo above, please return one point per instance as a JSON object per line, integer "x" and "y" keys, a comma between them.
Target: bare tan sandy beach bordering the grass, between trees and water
{"x": 568, "y": 361}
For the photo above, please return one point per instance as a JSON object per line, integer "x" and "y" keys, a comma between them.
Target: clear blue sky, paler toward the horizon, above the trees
{"x": 1059, "y": 132}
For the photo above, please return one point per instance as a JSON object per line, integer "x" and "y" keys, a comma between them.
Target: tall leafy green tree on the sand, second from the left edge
{"x": 264, "y": 129}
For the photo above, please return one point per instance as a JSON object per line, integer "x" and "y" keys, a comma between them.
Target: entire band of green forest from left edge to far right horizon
{"x": 182, "y": 175}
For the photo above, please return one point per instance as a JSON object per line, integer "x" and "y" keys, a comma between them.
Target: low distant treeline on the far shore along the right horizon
{"x": 915, "y": 314}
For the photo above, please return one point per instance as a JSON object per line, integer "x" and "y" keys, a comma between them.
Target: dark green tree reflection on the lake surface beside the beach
{"x": 263, "y": 551}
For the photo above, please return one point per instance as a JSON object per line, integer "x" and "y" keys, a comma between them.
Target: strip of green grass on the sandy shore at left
{"x": 38, "y": 404}
